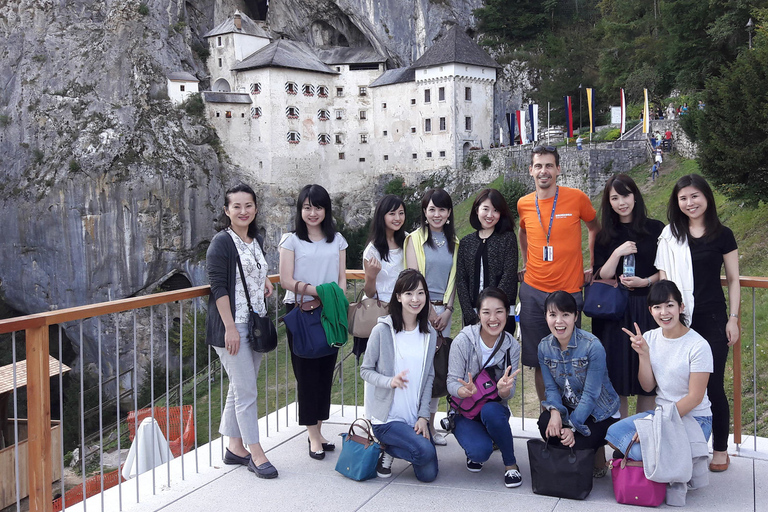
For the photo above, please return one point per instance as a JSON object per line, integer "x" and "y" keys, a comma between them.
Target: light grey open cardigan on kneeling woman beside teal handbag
{"x": 378, "y": 369}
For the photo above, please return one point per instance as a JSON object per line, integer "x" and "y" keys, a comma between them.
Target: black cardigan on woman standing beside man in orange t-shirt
{"x": 502, "y": 269}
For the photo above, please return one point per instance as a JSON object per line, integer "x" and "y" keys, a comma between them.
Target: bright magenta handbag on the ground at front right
{"x": 630, "y": 485}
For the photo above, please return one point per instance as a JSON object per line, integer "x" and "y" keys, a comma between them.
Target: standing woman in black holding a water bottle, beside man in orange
{"x": 626, "y": 229}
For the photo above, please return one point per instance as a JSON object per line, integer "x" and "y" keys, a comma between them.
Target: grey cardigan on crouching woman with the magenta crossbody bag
{"x": 466, "y": 357}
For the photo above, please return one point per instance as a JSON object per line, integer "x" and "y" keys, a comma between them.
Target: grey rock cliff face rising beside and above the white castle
{"x": 105, "y": 187}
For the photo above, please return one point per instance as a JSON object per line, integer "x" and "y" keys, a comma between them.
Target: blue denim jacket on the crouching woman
{"x": 583, "y": 364}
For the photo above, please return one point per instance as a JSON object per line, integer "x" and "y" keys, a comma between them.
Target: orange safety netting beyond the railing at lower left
{"x": 178, "y": 416}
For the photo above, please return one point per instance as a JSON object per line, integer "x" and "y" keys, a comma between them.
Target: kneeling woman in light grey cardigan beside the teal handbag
{"x": 398, "y": 372}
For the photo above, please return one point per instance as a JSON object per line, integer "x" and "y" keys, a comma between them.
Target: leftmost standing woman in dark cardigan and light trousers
{"x": 227, "y": 327}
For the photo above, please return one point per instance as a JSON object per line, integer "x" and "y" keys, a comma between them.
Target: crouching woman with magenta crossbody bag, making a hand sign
{"x": 486, "y": 347}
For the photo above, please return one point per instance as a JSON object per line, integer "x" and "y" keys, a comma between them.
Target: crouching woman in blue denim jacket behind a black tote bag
{"x": 581, "y": 403}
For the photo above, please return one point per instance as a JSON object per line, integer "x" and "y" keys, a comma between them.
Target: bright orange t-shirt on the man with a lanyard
{"x": 565, "y": 271}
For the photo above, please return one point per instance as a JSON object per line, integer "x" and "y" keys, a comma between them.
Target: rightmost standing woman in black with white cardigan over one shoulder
{"x": 693, "y": 221}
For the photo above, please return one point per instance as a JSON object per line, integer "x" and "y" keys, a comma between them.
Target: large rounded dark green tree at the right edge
{"x": 733, "y": 128}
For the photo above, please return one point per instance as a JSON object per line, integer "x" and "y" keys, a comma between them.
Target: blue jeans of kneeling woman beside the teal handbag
{"x": 402, "y": 442}
